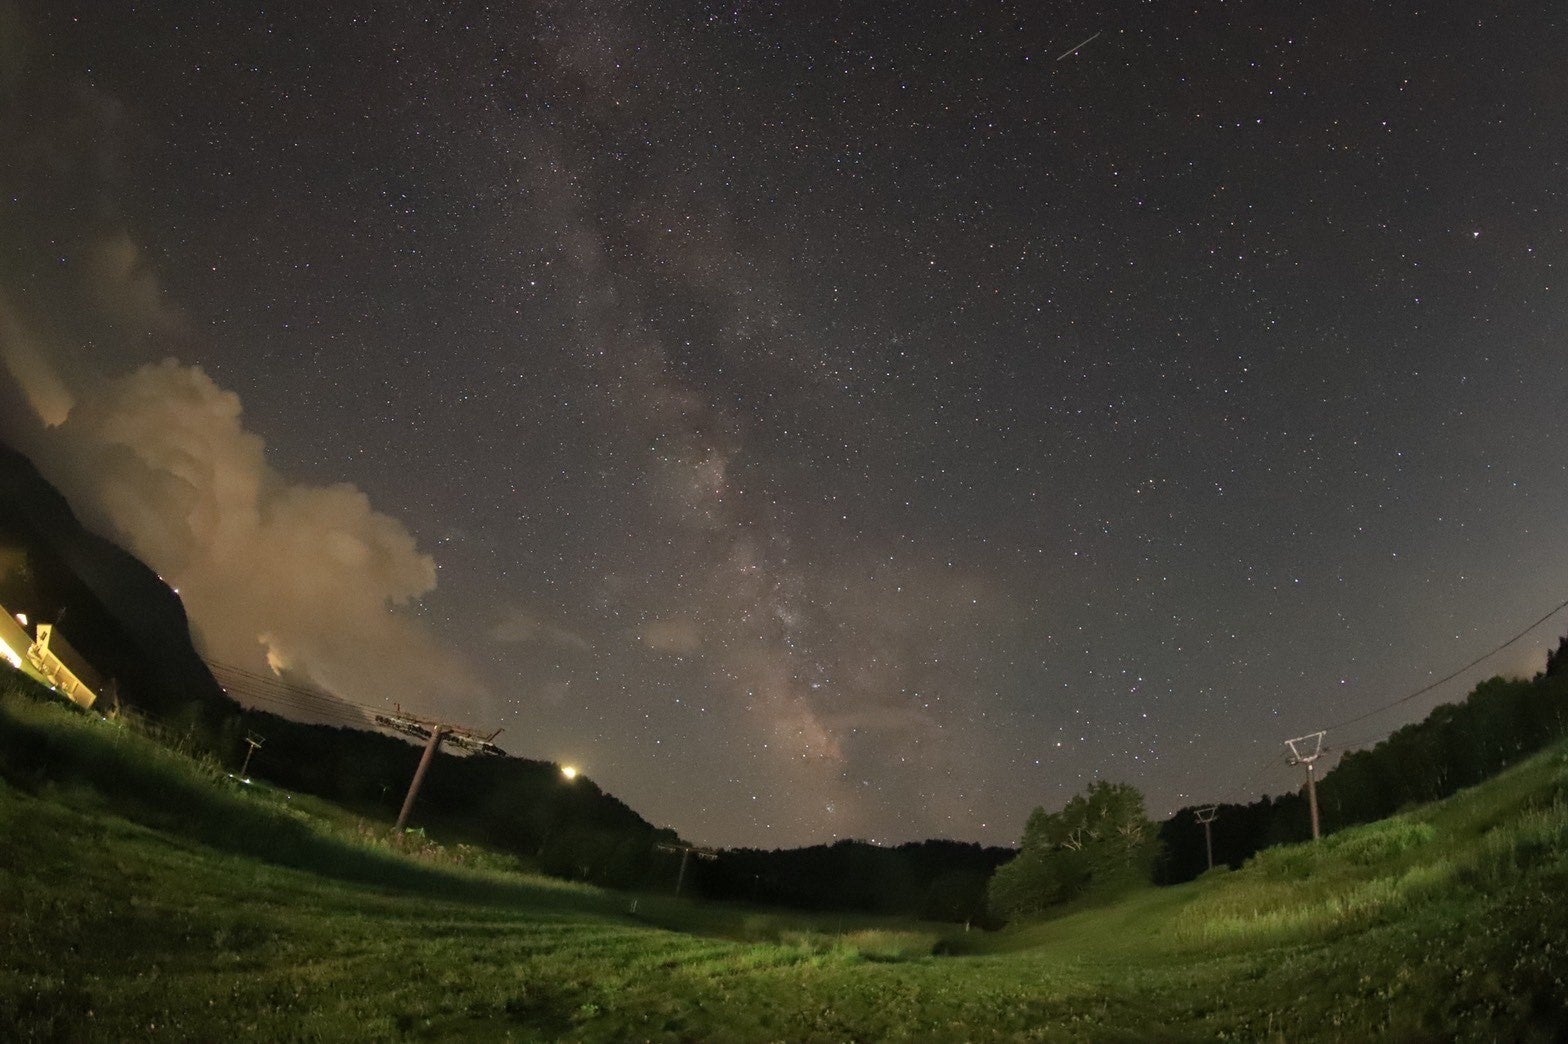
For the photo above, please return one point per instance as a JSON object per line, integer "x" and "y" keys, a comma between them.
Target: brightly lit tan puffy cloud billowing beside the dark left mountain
{"x": 299, "y": 578}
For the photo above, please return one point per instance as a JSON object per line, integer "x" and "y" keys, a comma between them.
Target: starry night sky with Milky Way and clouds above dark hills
{"x": 815, "y": 421}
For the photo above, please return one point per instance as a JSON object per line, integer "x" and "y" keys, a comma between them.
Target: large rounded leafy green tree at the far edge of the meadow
{"x": 1102, "y": 839}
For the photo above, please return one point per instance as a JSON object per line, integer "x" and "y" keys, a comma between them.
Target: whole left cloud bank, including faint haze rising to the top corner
{"x": 307, "y": 579}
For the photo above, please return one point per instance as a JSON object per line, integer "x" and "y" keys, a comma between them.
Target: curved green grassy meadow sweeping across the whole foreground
{"x": 148, "y": 896}
